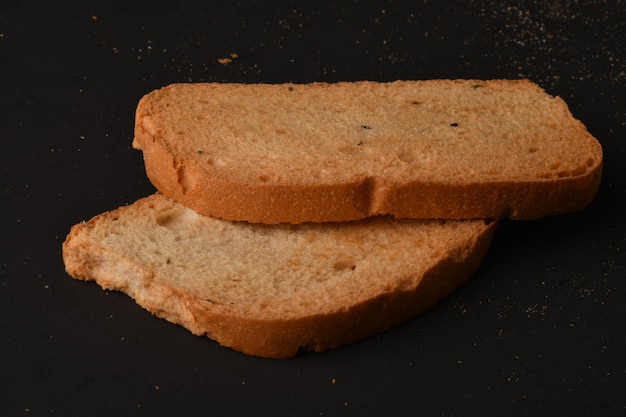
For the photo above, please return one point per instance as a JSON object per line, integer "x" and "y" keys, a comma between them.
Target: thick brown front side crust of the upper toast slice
{"x": 271, "y": 204}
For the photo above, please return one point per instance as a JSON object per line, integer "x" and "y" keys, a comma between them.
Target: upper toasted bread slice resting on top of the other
{"x": 452, "y": 149}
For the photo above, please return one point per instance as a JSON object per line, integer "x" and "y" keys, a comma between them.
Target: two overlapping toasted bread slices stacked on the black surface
{"x": 294, "y": 217}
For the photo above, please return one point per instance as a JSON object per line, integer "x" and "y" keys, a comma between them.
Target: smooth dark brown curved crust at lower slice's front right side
{"x": 283, "y": 339}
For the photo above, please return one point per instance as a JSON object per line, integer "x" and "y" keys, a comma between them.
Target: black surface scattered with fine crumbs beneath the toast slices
{"x": 539, "y": 330}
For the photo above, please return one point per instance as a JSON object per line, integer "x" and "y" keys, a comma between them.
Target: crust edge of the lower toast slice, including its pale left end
{"x": 86, "y": 257}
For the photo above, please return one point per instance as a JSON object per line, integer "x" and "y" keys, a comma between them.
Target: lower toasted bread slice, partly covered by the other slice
{"x": 273, "y": 290}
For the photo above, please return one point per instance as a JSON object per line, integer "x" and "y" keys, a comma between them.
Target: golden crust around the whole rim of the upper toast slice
{"x": 188, "y": 180}
